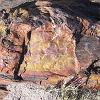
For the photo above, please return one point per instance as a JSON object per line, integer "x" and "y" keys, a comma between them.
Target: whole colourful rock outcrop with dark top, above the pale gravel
{"x": 46, "y": 41}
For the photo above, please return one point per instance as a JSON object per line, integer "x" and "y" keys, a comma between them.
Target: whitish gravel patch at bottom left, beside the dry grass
{"x": 28, "y": 91}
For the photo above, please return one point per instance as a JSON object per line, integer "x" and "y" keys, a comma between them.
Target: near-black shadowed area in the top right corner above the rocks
{"x": 81, "y": 8}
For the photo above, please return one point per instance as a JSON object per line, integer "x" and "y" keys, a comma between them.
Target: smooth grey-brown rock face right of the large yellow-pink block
{"x": 87, "y": 50}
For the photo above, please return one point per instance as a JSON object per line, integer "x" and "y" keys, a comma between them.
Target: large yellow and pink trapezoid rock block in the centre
{"x": 51, "y": 53}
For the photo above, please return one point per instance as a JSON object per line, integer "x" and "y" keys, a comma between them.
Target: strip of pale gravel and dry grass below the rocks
{"x": 30, "y": 91}
